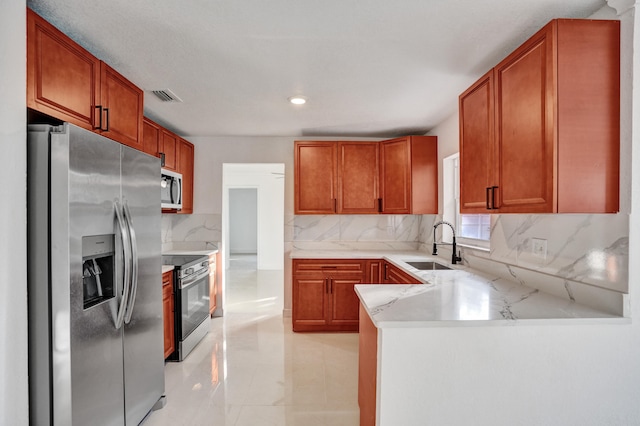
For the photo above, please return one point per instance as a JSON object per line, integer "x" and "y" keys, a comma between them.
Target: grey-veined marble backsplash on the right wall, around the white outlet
{"x": 587, "y": 256}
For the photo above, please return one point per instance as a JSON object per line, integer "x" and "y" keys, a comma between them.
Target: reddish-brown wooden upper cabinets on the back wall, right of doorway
{"x": 398, "y": 176}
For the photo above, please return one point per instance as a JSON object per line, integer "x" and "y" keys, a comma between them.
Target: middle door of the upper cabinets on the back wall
{"x": 358, "y": 174}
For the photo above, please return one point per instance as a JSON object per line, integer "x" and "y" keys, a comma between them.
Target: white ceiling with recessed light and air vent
{"x": 376, "y": 68}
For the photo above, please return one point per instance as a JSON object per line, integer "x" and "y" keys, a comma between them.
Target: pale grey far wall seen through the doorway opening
{"x": 243, "y": 220}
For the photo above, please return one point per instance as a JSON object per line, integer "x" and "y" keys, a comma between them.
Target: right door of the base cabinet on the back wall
{"x": 344, "y": 305}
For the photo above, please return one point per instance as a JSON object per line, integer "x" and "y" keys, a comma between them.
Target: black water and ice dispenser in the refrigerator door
{"x": 98, "y": 269}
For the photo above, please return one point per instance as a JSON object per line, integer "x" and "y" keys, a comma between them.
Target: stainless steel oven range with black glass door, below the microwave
{"x": 191, "y": 282}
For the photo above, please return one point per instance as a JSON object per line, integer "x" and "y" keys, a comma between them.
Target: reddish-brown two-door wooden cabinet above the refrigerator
{"x": 66, "y": 82}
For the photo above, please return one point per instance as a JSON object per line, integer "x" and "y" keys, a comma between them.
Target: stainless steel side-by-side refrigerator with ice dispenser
{"x": 94, "y": 279}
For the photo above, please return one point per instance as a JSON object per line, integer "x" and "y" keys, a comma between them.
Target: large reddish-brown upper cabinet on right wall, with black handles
{"x": 540, "y": 132}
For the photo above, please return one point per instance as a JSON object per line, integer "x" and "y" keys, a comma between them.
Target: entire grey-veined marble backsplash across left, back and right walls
{"x": 591, "y": 250}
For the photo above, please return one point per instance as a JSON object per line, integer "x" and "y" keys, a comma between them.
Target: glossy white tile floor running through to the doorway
{"x": 252, "y": 370}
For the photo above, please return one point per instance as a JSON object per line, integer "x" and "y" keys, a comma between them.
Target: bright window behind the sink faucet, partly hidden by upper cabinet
{"x": 471, "y": 229}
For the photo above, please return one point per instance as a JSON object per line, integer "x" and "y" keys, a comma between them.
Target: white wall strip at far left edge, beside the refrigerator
{"x": 13, "y": 258}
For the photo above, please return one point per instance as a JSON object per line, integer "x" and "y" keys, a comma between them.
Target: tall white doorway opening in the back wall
{"x": 253, "y": 237}
